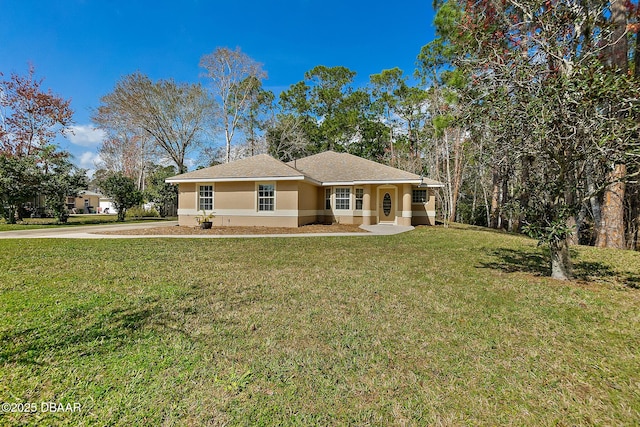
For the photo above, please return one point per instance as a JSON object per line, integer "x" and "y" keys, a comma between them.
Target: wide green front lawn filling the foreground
{"x": 433, "y": 327}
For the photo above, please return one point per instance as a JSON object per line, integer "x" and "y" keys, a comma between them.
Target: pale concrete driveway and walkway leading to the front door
{"x": 88, "y": 232}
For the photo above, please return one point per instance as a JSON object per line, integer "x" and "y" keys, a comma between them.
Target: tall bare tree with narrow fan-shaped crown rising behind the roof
{"x": 233, "y": 75}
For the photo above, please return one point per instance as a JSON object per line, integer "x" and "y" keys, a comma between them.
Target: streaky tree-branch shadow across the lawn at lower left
{"x": 89, "y": 330}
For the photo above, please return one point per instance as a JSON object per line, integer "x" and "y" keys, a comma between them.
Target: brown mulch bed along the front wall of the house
{"x": 234, "y": 231}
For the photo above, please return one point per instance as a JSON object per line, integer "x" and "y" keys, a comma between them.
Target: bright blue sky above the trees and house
{"x": 82, "y": 47}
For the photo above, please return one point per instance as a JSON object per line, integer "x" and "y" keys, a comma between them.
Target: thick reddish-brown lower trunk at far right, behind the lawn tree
{"x": 612, "y": 230}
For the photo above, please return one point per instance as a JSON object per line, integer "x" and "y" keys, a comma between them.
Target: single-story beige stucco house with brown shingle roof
{"x": 324, "y": 188}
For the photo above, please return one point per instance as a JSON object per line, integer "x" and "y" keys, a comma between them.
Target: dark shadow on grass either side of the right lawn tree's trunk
{"x": 538, "y": 264}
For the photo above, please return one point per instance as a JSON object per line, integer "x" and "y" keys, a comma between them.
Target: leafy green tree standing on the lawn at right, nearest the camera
{"x": 541, "y": 98}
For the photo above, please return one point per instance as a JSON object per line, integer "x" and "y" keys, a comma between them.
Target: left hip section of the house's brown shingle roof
{"x": 260, "y": 166}
